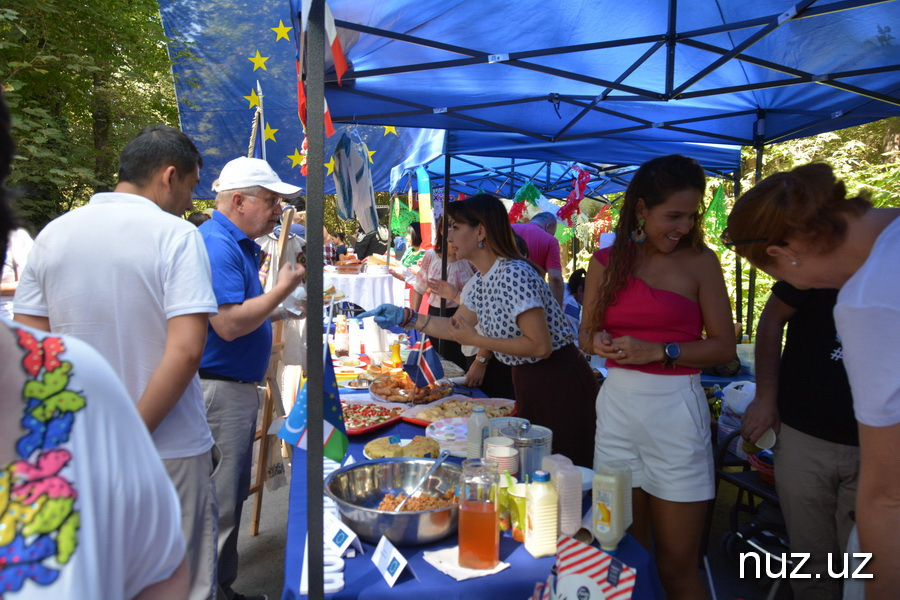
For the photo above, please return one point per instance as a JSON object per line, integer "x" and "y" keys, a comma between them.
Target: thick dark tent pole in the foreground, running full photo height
{"x": 315, "y": 202}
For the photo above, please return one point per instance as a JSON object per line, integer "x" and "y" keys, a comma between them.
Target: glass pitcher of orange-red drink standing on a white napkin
{"x": 479, "y": 527}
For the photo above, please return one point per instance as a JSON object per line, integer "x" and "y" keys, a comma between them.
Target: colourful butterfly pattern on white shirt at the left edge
{"x": 38, "y": 520}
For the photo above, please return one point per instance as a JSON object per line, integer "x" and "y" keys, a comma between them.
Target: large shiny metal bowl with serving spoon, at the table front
{"x": 359, "y": 488}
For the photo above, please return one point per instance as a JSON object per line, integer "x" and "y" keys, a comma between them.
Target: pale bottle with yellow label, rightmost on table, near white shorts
{"x": 612, "y": 504}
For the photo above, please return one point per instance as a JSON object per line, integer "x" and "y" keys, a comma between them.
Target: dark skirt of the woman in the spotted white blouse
{"x": 560, "y": 393}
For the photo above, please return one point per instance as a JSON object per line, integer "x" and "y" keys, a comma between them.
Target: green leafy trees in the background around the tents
{"x": 82, "y": 78}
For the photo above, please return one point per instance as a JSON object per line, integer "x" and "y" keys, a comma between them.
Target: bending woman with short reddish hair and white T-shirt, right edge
{"x": 800, "y": 226}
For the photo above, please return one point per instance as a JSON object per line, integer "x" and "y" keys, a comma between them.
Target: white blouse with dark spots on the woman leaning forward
{"x": 508, "y": 289}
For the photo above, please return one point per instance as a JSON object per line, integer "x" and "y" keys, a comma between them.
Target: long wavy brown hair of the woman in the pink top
{"x": 654, "y": 182}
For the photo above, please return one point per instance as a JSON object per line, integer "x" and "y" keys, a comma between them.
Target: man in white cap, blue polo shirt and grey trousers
{"x": 239, "y": 340}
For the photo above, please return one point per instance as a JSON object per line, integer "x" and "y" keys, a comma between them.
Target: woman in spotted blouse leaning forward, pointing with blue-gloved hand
{"x": 523, "y": 326}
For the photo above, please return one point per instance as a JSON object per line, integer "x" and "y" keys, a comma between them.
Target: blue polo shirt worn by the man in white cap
{"x": 235, "y": 259}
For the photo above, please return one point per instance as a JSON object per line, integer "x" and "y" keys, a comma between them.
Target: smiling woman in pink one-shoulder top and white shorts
{"x": 648, "y": 300}
